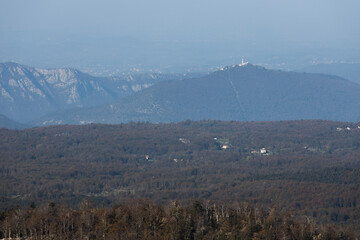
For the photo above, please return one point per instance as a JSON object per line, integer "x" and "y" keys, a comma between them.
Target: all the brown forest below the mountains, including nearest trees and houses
{"x": 288, "y": 179}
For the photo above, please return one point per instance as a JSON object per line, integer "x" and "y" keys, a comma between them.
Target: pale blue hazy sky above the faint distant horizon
{"x": 269, "y": 23}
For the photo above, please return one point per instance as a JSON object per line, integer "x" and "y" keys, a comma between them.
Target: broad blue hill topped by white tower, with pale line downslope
{"x": 242, "y": 93}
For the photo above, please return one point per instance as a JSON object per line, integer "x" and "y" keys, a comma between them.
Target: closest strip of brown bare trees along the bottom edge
{"x": 145, "y": 220}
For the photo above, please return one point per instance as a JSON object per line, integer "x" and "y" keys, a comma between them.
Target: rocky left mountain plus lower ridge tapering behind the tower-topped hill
{"x": 27, "y": 92}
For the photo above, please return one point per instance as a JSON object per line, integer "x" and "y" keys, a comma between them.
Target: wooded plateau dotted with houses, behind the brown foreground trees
{"x": 306, "y": 169}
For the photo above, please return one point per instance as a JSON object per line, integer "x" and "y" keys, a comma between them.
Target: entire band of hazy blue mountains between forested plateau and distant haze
{"x": 40, "y": 97}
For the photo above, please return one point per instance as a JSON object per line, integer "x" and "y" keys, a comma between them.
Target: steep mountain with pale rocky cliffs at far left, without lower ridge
{"x": 27, "y": 92}
